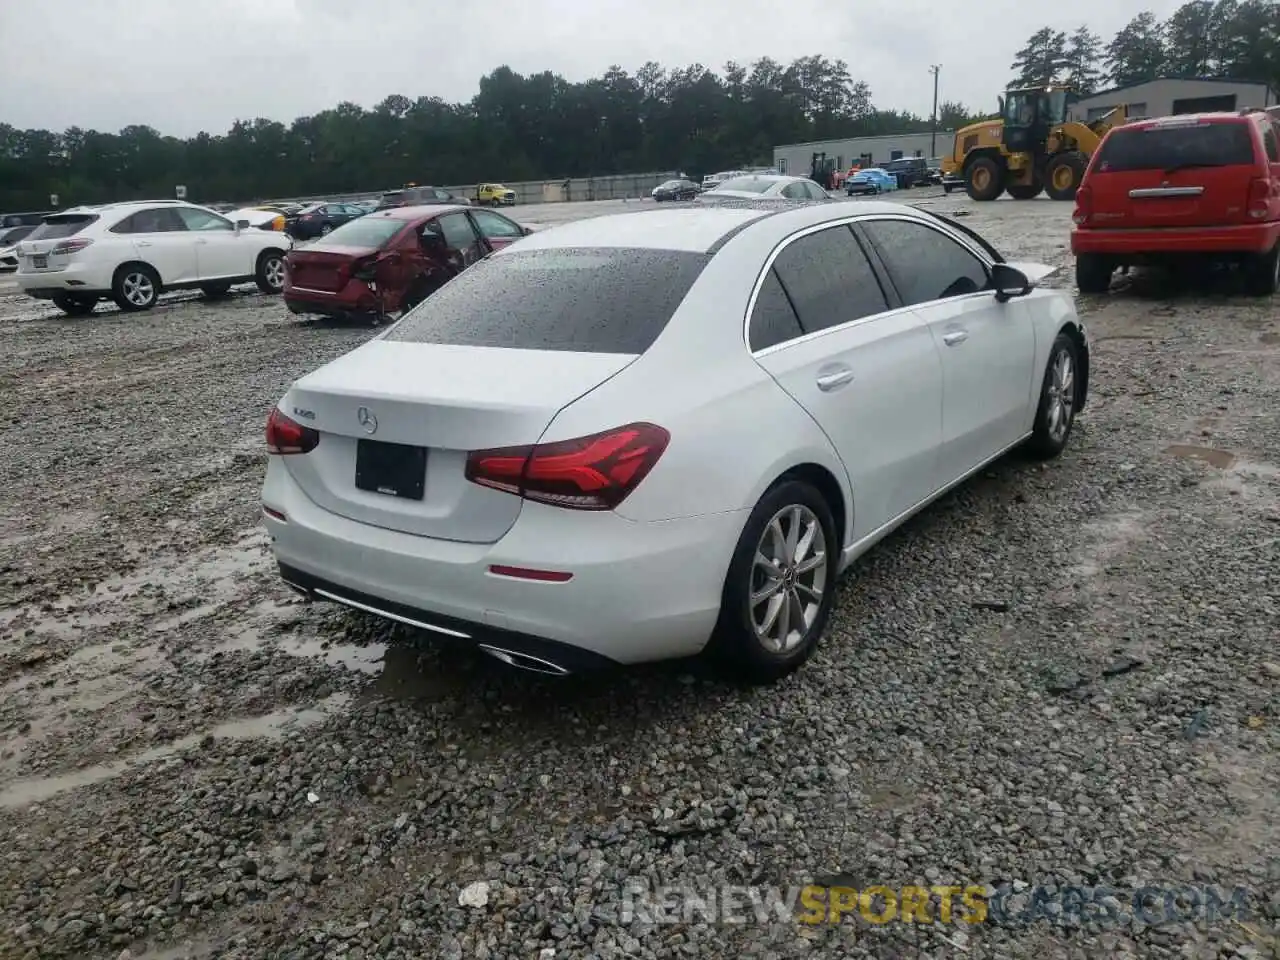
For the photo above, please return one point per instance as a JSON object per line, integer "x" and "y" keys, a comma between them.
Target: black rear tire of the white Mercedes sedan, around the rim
{"x": 737, "y": 646}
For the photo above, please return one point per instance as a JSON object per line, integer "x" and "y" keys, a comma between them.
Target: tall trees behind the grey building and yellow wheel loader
{"x": 1236, "y": 39}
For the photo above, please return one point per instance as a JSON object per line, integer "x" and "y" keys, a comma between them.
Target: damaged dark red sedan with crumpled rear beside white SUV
{"x": 391, "y": 260}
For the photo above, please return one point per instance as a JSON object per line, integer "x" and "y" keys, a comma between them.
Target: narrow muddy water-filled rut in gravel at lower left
{"x": 271, "y": 726}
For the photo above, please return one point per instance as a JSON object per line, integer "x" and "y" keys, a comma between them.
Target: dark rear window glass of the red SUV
{"x": 1168, "y": 148}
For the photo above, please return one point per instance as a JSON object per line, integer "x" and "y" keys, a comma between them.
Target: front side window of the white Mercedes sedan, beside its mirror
{"x": 926, "y": 264}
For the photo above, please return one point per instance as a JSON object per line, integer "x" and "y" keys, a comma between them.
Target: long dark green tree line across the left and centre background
{"x": 516, "y": 129}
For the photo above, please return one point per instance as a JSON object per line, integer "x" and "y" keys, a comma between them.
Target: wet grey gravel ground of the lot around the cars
{"x": 1060, "y": 675}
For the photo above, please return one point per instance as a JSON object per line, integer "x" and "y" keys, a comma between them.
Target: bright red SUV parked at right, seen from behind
{"x": 1200, "y": 186}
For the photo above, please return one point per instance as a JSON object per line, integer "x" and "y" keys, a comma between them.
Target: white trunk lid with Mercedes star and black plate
{"x": 445, "y": 401}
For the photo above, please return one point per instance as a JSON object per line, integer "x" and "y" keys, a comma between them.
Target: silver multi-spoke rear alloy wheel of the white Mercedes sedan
{"x": 789, "y": 577}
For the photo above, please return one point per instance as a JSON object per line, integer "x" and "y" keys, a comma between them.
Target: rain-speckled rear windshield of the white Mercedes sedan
{"x": 582, "y": 300}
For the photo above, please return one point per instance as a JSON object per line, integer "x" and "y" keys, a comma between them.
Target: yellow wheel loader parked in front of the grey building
{"x": 1031, "y": 148}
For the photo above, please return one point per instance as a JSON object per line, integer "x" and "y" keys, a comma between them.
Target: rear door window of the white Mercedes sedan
{"x": 829, "y": 280}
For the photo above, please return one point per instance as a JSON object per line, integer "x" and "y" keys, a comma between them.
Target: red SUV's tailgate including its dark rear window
{"x": 1181, "y": 172}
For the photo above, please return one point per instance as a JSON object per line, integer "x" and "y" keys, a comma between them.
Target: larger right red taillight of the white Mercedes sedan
{"x": 591, "y": 473}
